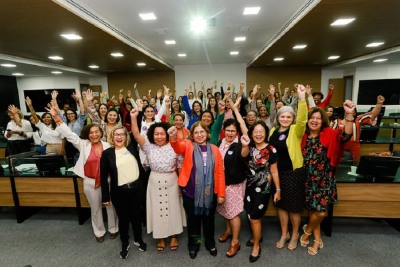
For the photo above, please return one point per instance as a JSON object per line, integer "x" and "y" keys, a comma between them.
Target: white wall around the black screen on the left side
{"x": 55, "y": 83}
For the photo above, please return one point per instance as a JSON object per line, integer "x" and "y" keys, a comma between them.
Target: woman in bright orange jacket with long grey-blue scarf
{"x": 202, "y": 183}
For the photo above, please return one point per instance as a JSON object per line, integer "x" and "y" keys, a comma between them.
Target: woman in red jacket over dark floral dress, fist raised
{"x": 322, "y": 150}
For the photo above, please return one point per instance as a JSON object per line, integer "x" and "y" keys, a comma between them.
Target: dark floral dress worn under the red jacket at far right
{"x": 320, "y": 182}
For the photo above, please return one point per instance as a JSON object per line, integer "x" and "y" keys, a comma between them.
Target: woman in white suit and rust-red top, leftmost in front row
{"x": 88, "y": 167}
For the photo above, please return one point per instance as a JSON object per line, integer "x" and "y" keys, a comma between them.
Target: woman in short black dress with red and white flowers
{"x": 262, "y": 170}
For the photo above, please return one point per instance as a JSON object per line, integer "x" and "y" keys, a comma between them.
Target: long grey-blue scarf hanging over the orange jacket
{"x": 204, "y": 181}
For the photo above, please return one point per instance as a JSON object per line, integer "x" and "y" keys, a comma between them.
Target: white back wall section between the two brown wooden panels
{"x": 186, "y": 74}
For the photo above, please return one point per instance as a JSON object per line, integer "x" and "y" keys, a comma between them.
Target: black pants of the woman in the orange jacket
{"x": 194, "y": 225}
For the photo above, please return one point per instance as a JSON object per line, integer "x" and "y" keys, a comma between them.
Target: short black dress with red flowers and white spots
{"x": 259, "y": 180}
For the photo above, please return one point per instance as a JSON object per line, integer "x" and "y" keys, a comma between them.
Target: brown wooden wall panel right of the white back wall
{"x": 286, "y": 76}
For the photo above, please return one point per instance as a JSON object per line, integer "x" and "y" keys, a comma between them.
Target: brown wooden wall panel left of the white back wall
{"x": 145, "y": 81}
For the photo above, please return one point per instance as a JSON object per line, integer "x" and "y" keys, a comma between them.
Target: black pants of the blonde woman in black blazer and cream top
{"x": 127, "y": 203}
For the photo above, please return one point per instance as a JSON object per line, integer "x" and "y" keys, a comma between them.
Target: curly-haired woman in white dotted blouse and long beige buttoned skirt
{"x": 165, "y": 215}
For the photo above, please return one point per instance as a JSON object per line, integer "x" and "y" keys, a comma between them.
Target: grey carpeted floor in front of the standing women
{"x": 53, "y": 237}
